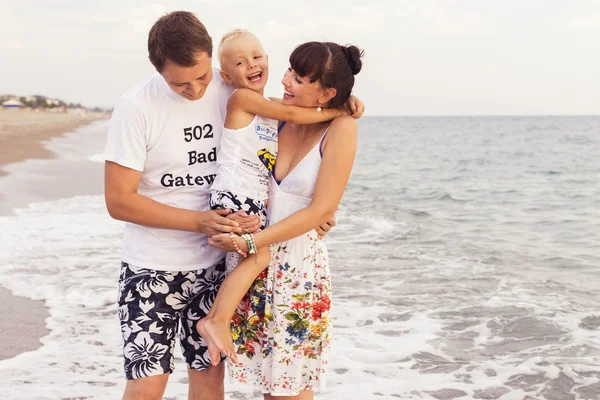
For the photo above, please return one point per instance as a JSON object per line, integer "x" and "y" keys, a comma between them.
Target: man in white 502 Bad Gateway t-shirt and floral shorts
{"x": 160, "y": 156}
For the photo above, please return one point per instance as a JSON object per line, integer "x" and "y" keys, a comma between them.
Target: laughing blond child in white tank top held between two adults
{"x": 249, "y": 143}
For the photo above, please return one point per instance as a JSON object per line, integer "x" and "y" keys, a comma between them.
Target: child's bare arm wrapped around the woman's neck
{"x": 251, "y": 102}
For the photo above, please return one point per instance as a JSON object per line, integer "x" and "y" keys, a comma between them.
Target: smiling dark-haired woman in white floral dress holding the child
{"x": 282, "y": 330}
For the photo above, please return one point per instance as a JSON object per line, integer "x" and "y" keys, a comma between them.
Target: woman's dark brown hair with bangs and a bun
{"x": 334, "y": 66}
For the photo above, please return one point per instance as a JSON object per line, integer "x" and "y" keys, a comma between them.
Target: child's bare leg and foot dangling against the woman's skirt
{"x": 215, "y": 327}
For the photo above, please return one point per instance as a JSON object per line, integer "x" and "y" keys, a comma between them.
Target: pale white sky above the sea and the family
{"x": 423, "y": 57}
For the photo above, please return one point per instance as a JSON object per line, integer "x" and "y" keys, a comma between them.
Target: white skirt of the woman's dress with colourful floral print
{"x": 282, "y": 328}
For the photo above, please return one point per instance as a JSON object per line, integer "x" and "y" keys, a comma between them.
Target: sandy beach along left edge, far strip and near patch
{"x": 22, "y": 136}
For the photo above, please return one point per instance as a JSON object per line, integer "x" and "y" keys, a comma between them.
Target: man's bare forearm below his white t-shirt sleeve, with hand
{"x": 126, "y": 204}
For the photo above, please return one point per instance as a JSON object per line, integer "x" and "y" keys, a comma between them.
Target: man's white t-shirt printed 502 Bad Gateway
{"x": 174, "y": 142}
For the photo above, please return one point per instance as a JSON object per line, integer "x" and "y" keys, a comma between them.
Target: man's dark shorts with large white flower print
{"x": 157, "y": 306}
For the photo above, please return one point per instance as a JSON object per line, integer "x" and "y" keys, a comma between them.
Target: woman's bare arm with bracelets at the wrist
{"x": 339, "y": 150}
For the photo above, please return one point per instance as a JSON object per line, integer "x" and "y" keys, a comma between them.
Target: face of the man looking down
{"x": 189, "y": 82}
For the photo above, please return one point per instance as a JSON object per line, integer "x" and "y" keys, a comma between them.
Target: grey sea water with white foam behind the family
{"x": 465, "y": 265}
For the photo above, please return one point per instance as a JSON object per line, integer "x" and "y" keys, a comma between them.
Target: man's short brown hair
{"x": 178, "y": 36}
